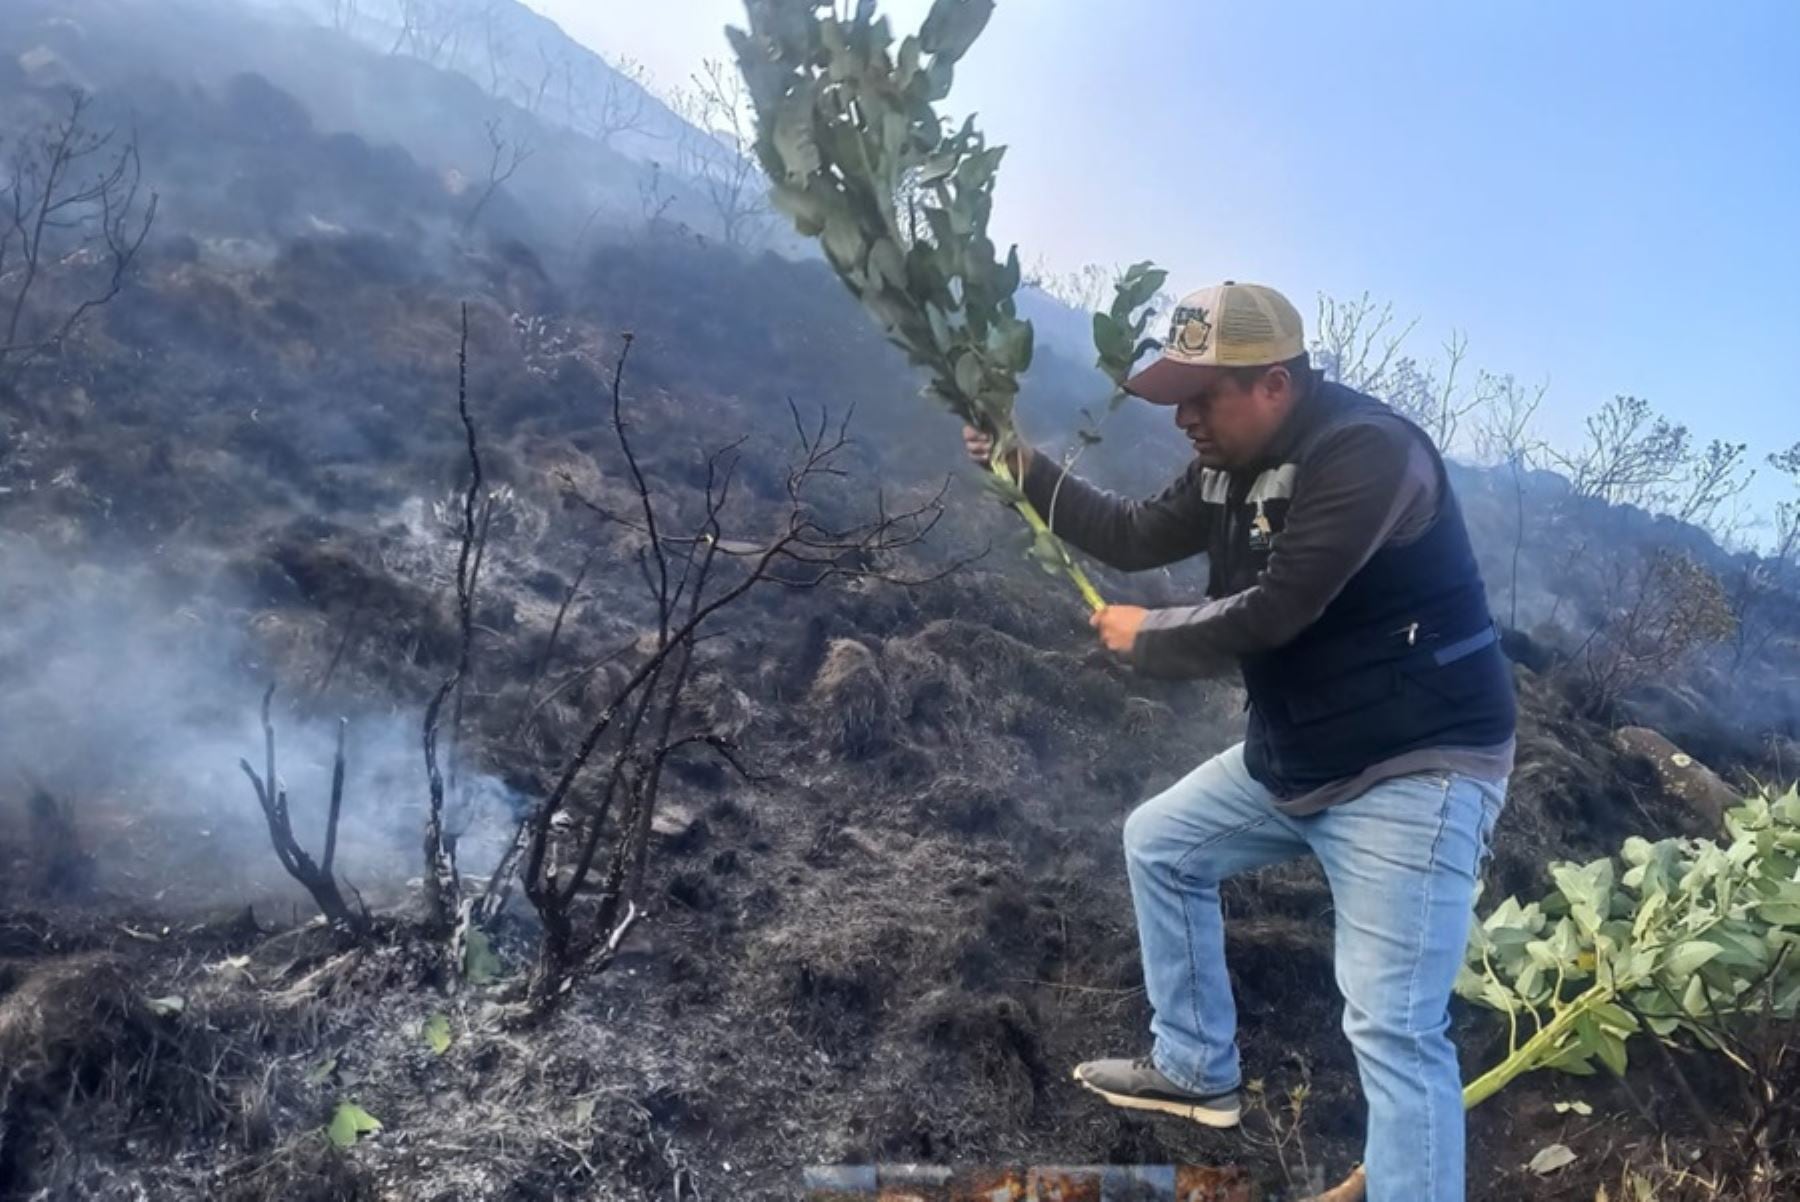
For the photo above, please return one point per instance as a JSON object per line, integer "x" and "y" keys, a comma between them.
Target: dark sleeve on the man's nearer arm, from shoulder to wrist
{"x": 1362, "y": 487}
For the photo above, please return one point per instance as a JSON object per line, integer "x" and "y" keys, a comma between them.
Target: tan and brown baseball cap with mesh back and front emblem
{"x": 1228, "y": 325}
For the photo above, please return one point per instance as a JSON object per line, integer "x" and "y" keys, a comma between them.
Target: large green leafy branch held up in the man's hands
{"x": 901, "y": 201}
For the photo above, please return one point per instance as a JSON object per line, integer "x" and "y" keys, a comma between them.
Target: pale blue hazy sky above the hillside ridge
{"x": 1605, "y": 193}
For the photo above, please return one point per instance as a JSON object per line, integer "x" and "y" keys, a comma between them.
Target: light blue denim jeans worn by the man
{"x": 1401, "y": 863}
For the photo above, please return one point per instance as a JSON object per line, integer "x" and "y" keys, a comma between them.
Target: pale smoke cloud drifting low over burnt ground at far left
{"x": 130, "y": 701}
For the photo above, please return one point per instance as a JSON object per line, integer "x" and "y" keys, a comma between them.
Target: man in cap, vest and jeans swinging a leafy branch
{"x": 1381, "y": 717}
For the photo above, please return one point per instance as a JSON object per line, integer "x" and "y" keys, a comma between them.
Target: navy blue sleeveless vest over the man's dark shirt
{"x": 1403, "y": 659}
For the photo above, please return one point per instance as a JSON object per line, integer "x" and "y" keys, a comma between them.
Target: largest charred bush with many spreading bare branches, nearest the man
{"x": 597, "y": 816}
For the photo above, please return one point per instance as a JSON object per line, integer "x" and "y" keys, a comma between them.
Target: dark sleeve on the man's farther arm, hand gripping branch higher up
{"x": 1122, "y": 534}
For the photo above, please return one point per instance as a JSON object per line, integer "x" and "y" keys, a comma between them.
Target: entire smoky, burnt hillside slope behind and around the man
{"x": 885, "y": 938}
